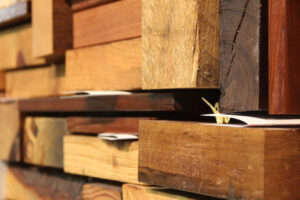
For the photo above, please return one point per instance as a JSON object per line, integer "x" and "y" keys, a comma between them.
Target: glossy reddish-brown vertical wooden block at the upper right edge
{"x": 284, "y": 43}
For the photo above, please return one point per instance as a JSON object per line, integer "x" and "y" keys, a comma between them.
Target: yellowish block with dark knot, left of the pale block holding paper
{"x": 43, "y": 141}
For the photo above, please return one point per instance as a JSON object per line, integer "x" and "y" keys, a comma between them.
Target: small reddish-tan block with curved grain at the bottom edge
{"x": 98, "y": 191}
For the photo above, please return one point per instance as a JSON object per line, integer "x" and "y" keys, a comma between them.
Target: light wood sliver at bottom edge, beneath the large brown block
{"x": 137, "y": 192}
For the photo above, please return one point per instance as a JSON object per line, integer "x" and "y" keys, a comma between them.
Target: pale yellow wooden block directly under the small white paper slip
{"x": 92, "y": 156}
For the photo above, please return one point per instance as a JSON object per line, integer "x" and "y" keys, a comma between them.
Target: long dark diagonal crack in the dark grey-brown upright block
{"x": 233, "y": 46}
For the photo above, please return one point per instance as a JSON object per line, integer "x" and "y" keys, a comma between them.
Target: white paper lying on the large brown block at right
{"x": 256, "y": 121}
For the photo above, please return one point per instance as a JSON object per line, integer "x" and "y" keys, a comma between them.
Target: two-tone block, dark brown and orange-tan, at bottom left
{"x": 35, "y": 184}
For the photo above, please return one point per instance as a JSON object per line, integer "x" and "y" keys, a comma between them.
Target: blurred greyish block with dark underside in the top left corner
{"x": 14, "y": 14}
